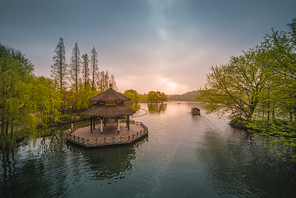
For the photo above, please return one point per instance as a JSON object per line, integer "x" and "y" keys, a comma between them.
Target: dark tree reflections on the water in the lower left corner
{"x": 36, "y": 168}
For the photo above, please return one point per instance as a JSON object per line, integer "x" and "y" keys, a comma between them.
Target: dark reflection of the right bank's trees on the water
{"x": 238, "y": 167}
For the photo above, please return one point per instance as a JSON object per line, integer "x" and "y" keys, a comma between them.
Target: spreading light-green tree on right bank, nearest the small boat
{"x": 235, "y": 89}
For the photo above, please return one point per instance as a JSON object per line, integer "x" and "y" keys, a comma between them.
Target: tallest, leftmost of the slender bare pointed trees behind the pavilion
{"x": 59, "y": 68}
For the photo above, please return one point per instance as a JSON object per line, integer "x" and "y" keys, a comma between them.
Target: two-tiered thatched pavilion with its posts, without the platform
{"x": 109, "y": 105}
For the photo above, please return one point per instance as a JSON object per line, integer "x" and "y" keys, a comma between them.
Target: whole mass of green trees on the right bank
{"x": 257, "y": 90}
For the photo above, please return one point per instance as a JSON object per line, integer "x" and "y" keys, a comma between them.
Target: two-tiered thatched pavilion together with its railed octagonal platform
{"x": 109, "y": 109}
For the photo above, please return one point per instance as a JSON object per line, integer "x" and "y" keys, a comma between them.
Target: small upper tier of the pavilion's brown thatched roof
{"x": 109, "y": 95}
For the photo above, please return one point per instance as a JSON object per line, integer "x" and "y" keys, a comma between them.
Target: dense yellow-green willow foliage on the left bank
{"x": 25, "y": 100}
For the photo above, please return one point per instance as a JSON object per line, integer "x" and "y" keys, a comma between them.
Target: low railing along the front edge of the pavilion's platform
{"x": 108, "y": 140}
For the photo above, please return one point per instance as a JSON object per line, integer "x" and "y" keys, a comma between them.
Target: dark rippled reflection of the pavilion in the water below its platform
{"x": 107, "y": 163}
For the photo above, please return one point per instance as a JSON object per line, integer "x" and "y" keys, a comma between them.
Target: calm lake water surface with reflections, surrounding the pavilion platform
{"x": 183, "y": 156}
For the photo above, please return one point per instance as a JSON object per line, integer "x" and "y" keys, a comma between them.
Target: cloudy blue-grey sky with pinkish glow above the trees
{"x": 148, "y": 45}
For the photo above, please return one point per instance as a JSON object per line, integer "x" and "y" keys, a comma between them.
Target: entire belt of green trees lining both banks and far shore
{"x": 256, "y": 90}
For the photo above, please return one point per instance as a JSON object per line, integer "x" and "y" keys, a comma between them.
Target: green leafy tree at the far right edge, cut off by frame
{"x": 278, "y": 124}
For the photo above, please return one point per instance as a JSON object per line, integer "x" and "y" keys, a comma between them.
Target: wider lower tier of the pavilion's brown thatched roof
{"x": 108, "y": 111}
